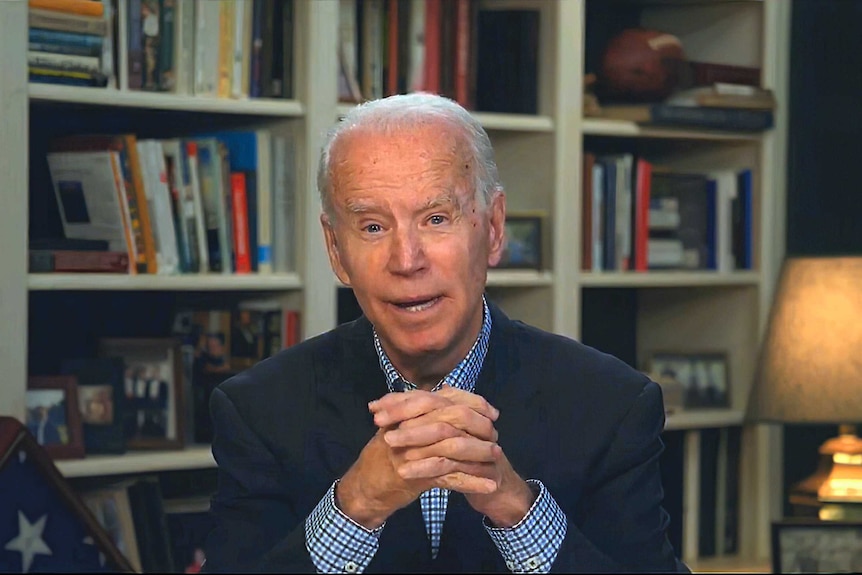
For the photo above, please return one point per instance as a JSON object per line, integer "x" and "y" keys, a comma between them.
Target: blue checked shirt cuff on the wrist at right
{"x": 531, "y": 546}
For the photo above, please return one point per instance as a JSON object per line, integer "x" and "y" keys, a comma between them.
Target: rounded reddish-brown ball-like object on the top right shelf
{"x": 641, "y": 65}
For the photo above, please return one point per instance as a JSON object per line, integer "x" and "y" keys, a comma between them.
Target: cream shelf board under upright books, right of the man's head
{"x": 668, "y": 279}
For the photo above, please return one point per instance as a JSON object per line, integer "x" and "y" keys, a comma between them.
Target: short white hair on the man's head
{"x": 390, "y": 114}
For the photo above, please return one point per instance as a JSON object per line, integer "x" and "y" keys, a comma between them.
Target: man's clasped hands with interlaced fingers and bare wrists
{"x": 442, "y": 439}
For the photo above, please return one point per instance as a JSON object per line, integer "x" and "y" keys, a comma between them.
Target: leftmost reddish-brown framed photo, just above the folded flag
{"x": 52, "y": 415}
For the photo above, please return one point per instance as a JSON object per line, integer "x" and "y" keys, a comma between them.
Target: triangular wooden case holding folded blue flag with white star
{"x": 46, "y": 527}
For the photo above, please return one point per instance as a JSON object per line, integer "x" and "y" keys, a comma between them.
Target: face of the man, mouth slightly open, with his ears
{"x": 411, "y": 240}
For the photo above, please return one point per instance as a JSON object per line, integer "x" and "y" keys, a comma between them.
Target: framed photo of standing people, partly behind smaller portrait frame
{"x": 152, "y": 389}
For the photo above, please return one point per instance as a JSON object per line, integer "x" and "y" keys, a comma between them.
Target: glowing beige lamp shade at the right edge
{"x": 810, "y": 369}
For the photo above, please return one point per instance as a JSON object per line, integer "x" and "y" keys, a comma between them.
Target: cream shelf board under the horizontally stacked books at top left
{"x": 163, "y": 101}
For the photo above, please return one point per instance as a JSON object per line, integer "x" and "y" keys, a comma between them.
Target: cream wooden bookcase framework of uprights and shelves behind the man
{"x": 540, "y": 165}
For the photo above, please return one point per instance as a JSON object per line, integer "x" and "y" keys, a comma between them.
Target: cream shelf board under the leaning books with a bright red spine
{"x": 144, "y": 282}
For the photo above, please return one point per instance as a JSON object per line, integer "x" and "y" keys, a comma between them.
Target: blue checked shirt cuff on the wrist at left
{"x": 335, "y": 542}
